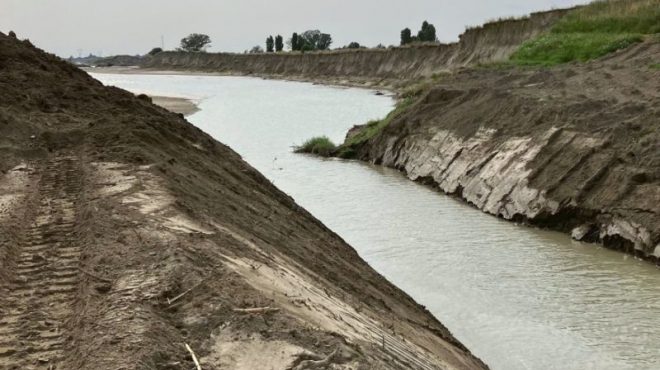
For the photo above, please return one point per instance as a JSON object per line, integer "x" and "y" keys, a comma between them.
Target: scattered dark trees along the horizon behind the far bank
{"x": 311, "y": 40}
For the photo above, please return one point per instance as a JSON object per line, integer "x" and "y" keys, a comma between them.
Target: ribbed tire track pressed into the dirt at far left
{"x": 44, "y": 273}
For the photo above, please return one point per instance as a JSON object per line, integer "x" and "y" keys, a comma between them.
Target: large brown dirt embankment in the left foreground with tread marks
{"x": 126, "y": 234}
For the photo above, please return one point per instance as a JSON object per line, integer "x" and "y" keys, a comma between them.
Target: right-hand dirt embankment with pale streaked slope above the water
{"x": 573, "y": 148}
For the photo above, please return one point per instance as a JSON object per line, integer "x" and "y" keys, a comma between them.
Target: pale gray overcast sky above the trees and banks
{"x": 135, "y": 26}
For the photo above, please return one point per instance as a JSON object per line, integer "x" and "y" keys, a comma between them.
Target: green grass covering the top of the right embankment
{"x": 592, "y": 31}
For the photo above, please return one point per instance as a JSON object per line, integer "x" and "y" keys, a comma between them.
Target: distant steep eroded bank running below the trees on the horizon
{"x": 492, "y": 42}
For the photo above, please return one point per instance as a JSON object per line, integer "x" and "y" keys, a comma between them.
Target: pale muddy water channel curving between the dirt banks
{"x": 519, "y": 298}
